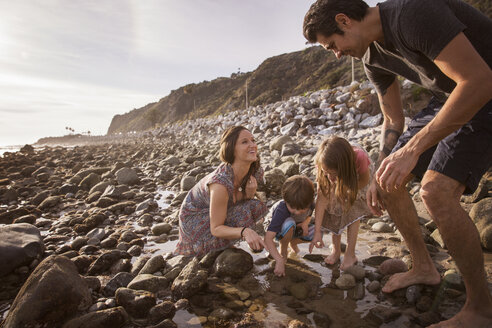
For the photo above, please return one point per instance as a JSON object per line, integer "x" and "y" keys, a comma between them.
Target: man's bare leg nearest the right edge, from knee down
{"x": 441, "y": 196}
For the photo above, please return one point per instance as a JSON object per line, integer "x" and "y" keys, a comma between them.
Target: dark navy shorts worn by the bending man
{"x": 464, "y": 155}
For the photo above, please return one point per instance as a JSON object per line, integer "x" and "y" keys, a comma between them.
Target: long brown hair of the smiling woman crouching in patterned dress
{"x": 227, "y": 146}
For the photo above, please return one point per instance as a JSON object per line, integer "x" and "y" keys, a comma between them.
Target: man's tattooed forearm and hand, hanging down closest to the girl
{"x": 394, "y": 121}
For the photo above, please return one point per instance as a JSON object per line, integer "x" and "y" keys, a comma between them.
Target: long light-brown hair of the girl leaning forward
{"x": 337, "y": 154}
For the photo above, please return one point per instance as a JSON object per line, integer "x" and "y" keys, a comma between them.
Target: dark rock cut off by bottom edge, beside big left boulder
{"x": 109, "y": 318}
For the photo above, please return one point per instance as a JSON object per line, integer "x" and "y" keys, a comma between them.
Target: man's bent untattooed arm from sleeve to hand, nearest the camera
{"x": 459, "y": 61}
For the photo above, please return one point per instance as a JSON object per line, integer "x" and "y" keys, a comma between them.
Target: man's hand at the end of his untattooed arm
{"x": 395, "y": 168}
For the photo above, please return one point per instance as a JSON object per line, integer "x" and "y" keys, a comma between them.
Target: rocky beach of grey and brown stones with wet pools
{"x": 87, "y": 232}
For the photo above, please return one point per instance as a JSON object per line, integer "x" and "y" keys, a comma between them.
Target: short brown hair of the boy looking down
{"x": 298, "y": 192}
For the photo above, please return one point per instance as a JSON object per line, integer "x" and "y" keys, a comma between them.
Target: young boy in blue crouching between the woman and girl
{"x": 289, "y": 220}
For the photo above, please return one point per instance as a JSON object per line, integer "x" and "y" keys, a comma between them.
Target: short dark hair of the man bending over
{"x": 320, "y": 18}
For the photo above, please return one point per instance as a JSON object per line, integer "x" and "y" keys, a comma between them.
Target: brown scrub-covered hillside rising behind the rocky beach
{"x": 277, "y": 78}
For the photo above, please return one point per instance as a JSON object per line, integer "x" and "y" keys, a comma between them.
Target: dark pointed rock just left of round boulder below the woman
{"x": 190, "y": 281}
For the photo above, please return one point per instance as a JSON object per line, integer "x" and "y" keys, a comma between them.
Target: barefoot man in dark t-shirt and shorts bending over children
{"x": 444, "y": 45}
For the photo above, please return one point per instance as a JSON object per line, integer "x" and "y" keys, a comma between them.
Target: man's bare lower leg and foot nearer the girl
{"x": 402, "y": 211}
